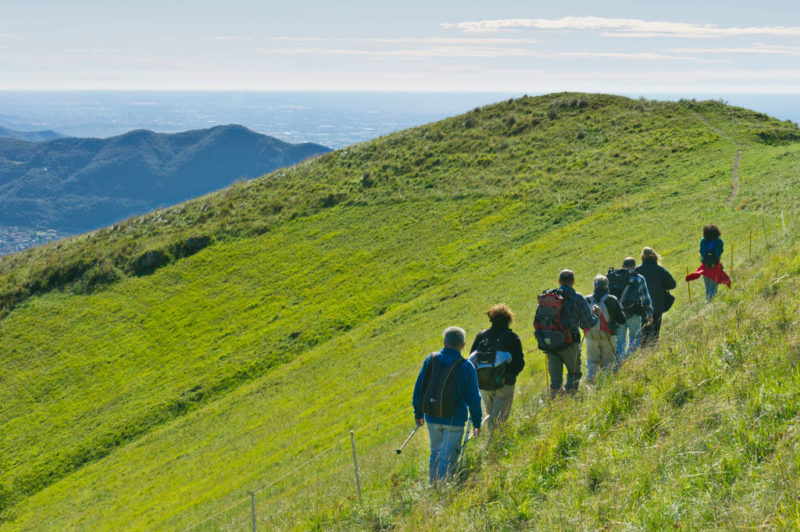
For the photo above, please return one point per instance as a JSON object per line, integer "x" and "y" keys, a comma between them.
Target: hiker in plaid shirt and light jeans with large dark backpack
{"x": 630, "y": 289}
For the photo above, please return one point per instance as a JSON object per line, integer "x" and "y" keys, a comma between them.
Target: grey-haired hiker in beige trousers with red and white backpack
{"x": 601, "y": 340}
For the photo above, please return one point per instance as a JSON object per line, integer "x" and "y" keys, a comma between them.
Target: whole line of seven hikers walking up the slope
{"x": 623, "y": 313}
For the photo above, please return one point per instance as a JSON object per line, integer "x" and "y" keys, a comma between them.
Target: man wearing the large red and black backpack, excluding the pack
{"x": 578, "y": 315}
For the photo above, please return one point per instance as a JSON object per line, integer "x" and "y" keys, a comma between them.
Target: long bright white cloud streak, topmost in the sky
{"x": 622, "y": 27}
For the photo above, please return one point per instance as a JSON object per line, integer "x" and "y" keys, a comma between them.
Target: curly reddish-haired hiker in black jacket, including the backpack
{"x": 497, "y": 355}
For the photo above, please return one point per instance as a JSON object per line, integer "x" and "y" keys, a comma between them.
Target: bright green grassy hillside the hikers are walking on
{"x": 156, "y": 397}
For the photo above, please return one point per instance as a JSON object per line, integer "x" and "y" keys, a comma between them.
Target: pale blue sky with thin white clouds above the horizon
{"x": 642, "y": 46}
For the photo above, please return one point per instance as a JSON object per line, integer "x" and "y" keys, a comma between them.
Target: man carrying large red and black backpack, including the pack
{"x": 559, "y": 314}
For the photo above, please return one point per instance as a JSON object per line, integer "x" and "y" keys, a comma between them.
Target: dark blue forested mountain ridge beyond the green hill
{"x": 79, "y": 184}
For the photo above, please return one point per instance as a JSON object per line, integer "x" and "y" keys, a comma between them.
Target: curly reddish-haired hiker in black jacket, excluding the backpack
{"x": 509, "y": 351}
